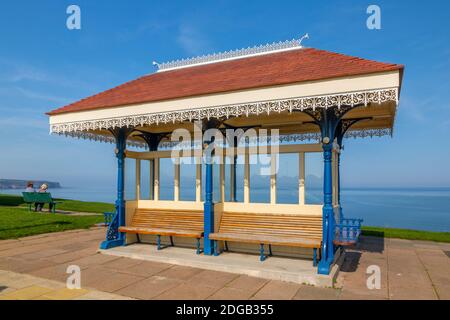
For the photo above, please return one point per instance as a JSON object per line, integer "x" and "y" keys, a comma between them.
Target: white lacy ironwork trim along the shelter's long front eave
{"x": 266, "y": 107}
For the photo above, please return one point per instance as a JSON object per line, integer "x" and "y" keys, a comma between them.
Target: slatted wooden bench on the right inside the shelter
{"x": 271, "y": 229}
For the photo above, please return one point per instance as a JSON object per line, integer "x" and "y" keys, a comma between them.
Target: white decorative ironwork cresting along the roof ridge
{"x": 232, "y": 54}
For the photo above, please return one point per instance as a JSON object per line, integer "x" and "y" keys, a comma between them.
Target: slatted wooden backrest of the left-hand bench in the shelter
{"x": 190, "y": 220}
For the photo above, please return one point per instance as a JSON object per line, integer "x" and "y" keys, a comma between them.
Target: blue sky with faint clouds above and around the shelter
{"x": 43, "y": 65}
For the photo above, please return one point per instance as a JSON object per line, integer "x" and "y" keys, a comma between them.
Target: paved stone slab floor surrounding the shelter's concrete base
{"x": 35, "y": 268}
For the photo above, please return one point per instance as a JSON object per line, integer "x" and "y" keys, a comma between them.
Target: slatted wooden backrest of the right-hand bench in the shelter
{"x": 283, "y": 225}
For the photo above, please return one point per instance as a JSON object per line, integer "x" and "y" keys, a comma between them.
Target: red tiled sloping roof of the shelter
{"x": 252, "y": 72}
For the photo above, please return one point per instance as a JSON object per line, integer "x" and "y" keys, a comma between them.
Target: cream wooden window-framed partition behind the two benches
{"x": 246, "y": 206}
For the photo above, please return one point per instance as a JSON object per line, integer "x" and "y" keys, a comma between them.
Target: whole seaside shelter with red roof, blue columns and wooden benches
{"x": 312, "y": 99}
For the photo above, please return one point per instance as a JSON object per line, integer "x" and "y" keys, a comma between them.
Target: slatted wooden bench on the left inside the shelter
{"x": 165, "y": 222}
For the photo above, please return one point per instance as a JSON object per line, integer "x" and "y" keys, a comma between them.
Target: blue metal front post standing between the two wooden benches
{"x": 208, "y": 245}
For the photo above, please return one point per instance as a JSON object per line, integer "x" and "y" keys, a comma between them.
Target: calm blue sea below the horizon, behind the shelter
{"x": 408, "y": 208}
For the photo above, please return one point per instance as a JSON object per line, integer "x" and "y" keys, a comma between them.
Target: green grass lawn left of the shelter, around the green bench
{"x": 16, "y": 221}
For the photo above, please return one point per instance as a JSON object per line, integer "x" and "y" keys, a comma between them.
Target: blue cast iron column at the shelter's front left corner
{"x": 115, "y": 238}
